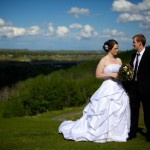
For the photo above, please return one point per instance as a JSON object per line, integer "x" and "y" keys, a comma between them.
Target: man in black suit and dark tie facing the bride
{"x": 140, "y": 88}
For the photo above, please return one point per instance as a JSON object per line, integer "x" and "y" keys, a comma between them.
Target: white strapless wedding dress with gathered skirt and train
{"x": 105, "y": 118}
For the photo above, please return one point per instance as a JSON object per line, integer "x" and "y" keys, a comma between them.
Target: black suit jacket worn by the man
{"x": 143, "y": 73}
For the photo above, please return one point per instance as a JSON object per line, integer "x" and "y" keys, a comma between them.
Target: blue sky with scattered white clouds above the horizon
{"x": 72, "y": 24}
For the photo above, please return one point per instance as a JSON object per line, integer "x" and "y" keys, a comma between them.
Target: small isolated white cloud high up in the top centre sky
{"x": 75, "y": 11}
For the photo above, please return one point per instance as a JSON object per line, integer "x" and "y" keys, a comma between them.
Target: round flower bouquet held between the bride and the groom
{"x": 125, "y": 73}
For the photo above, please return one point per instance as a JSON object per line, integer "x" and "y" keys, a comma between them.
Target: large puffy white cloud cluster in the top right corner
{"x": 130, "y": 12}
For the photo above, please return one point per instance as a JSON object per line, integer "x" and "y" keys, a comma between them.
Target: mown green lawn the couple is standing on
{"x": 41, "y": 133}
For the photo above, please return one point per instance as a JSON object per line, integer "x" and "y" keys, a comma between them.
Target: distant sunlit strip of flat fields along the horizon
{"x": 48, "y": 55}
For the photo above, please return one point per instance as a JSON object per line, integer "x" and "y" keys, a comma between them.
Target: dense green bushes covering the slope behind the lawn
{"x": 63, "y": 88}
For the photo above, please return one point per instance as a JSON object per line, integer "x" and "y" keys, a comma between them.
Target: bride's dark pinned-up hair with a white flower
{"x": 108, "y": 45}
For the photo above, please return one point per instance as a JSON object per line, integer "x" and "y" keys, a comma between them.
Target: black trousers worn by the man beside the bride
{"x": 135, "y": 99}
